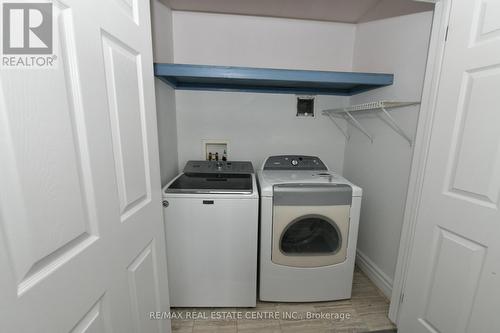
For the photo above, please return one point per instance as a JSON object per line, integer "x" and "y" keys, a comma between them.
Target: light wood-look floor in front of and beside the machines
{"x": 366, "y": 311}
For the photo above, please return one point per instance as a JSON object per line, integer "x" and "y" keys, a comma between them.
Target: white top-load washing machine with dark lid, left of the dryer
{"x": 211, "y": 225}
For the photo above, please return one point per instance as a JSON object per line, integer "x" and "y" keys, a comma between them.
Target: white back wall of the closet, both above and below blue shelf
{"x": 258, "y": 125}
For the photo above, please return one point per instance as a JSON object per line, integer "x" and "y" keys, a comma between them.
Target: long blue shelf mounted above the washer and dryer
{"x": 266, "y": 80}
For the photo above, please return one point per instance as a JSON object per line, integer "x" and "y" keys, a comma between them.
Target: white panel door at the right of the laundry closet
{"x": 453, "y": 282}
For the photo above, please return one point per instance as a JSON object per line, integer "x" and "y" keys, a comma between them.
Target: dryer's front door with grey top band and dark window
{"x": 313, "y": 234}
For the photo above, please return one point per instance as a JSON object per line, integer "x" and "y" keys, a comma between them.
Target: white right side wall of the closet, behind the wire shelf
{"x": 396, "y": 45}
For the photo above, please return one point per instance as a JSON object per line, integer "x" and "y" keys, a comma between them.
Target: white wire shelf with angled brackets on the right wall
{"x": 346, "y": 113}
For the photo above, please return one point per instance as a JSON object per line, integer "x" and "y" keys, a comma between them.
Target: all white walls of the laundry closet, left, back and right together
{"x": 373, "y": 150}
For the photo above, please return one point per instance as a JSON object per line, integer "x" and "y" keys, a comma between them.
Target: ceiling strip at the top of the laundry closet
{"x": 348, "y": 11}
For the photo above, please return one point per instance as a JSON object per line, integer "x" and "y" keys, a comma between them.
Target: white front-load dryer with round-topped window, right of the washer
{"x": 309, "y": 220}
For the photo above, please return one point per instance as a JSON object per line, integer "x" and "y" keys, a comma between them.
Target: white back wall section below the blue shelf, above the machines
{"x": 256, "y": 126}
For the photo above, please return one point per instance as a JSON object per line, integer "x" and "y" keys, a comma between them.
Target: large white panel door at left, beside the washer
{"x": 81, "y": 234}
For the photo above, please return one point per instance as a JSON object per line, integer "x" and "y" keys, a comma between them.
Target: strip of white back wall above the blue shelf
{"x": 237, "y": 40}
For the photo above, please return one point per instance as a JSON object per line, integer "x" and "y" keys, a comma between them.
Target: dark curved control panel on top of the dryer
{"x": 294, "y": 162}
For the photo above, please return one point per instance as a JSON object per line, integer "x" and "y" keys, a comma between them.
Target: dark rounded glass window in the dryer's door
{"x": 311, "y": 235}
